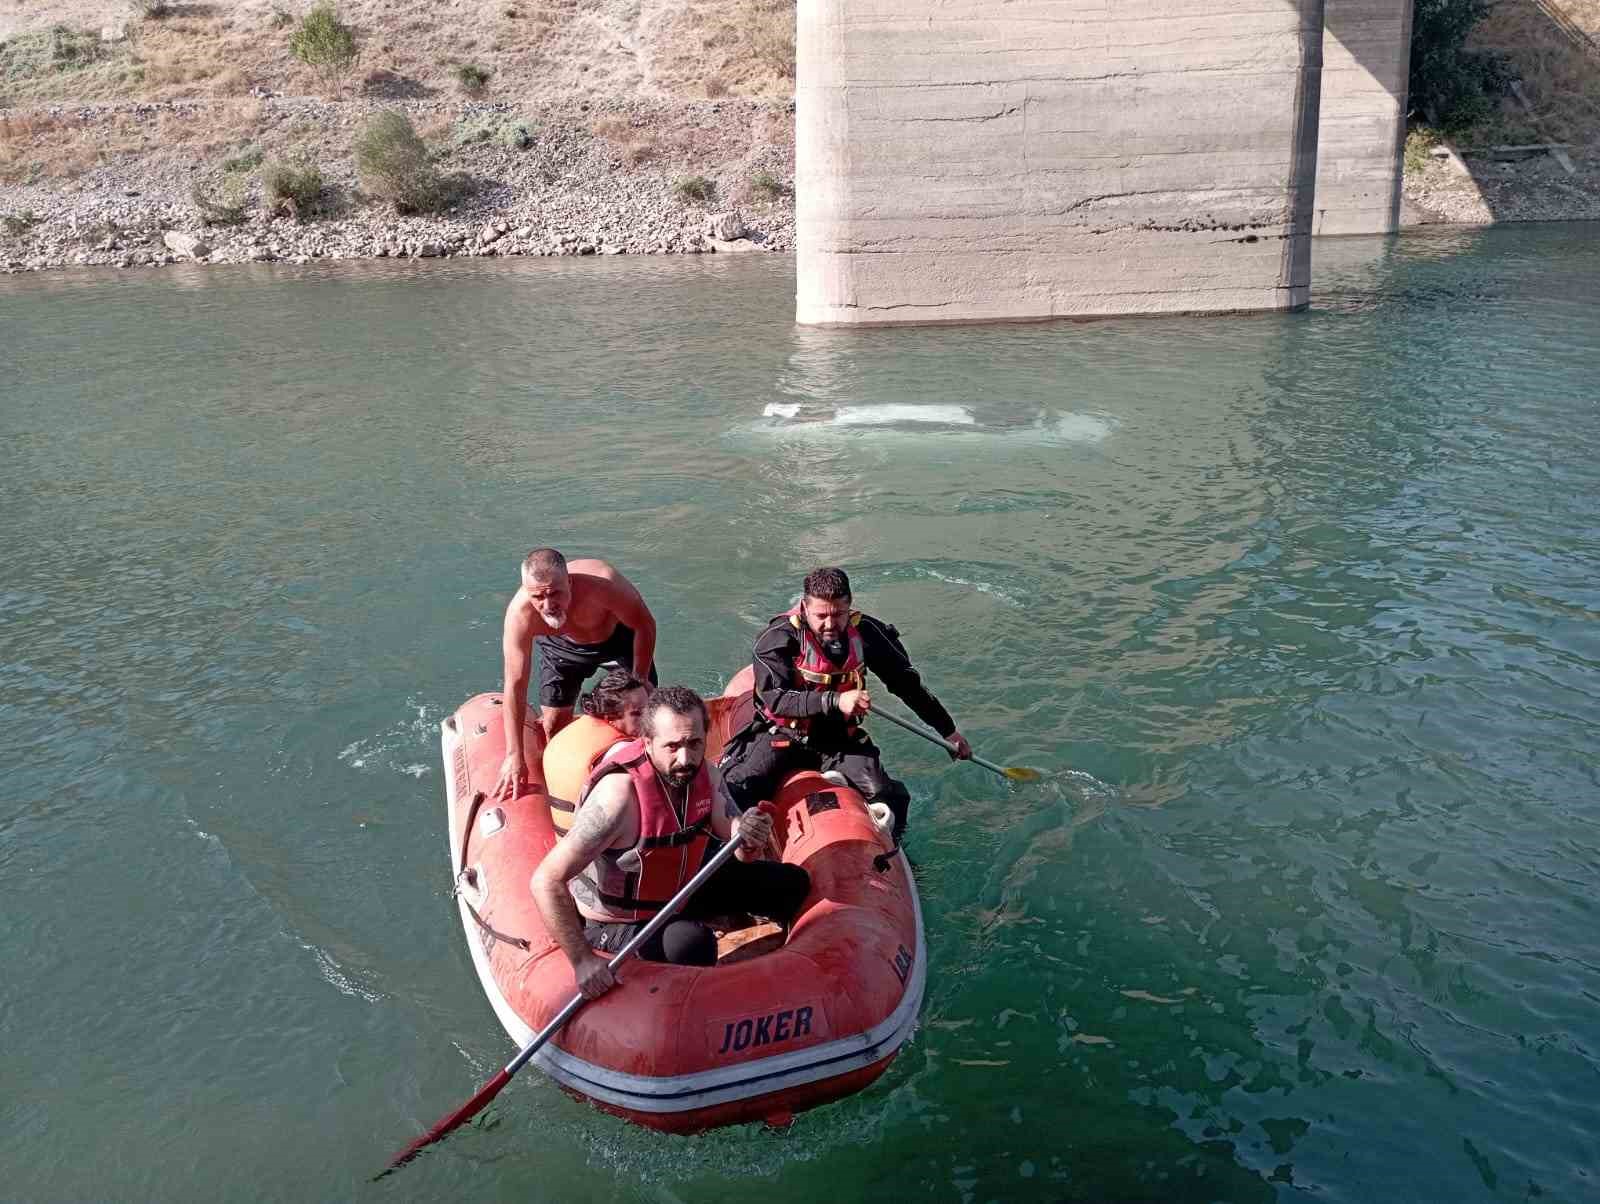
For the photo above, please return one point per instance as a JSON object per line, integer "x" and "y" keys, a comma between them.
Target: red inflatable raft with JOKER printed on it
{"x": 778, "y": 1025}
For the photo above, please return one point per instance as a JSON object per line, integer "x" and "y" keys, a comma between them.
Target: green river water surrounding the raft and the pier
{"x": 1300, "y": 612}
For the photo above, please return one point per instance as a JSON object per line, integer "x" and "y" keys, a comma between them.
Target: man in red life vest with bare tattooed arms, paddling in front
{"x": 644, "y": 824}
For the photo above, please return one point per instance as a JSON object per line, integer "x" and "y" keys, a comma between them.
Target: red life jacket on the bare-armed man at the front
{"x": 633, "y": 885}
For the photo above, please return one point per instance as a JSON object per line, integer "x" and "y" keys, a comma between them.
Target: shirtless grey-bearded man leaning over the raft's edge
{"x": 582, "y": 617}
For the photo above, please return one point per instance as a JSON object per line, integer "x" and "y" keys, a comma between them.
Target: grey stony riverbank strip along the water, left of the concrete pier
{"x": 631, "y": 179}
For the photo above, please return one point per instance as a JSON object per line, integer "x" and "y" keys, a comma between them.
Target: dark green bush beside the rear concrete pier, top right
{"x": 1452, "y": 86}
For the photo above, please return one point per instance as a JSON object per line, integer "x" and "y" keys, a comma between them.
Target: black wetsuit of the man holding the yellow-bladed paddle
{"x": 761, "y": 757}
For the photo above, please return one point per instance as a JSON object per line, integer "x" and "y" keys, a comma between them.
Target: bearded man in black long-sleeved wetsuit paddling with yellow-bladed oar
{"x": 812, "y": 696}
